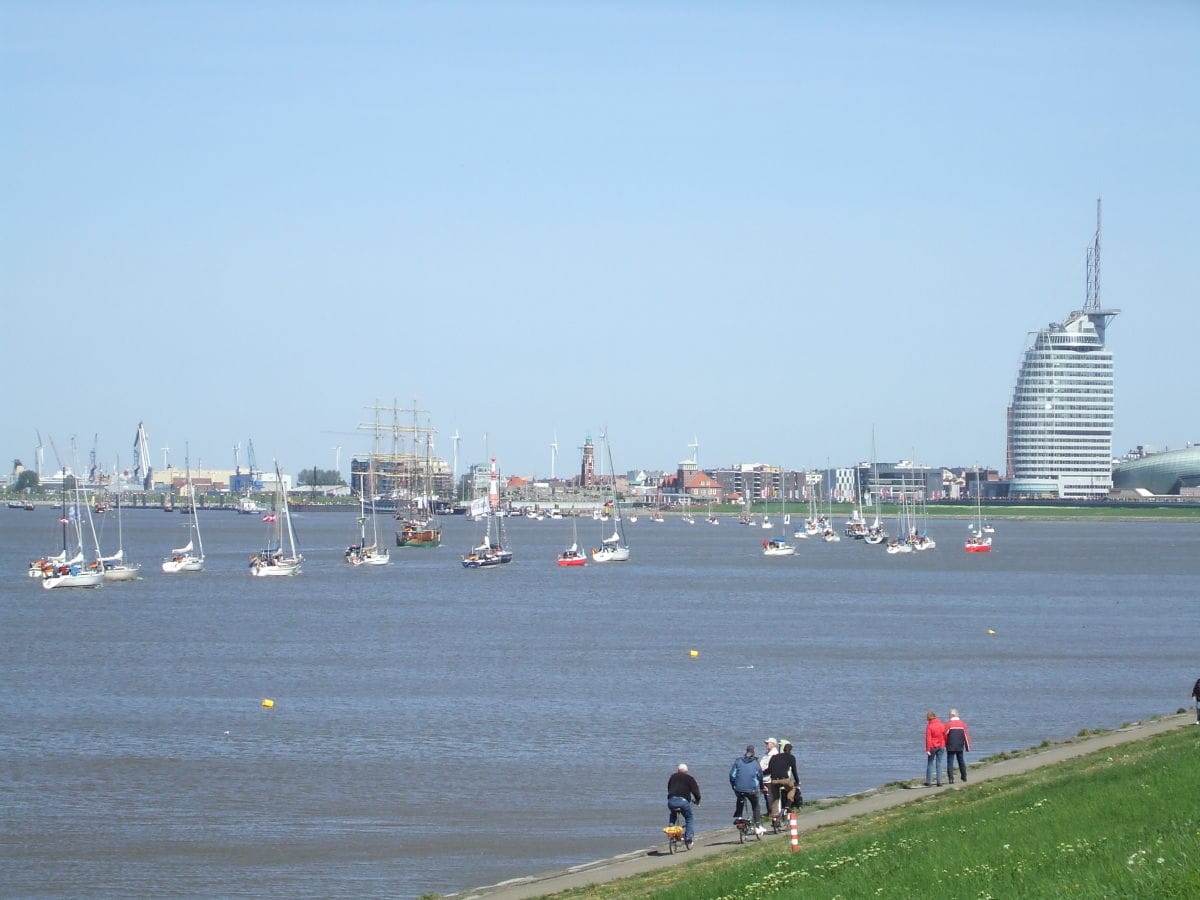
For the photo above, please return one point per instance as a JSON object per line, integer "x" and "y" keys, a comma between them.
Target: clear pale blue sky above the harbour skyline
{"x": 772, "y": 227}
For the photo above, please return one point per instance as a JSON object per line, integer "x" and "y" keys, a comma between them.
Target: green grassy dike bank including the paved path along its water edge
{"x": 1111, "y": 815}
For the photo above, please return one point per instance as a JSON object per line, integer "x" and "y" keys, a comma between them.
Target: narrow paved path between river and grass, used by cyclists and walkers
{"x": 811, "y": 818}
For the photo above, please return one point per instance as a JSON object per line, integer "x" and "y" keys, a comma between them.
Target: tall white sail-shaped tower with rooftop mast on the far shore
{"x": 1060, "y": 424}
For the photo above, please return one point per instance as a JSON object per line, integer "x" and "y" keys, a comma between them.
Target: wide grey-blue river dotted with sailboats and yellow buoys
{"x": 437, "y": 729}
